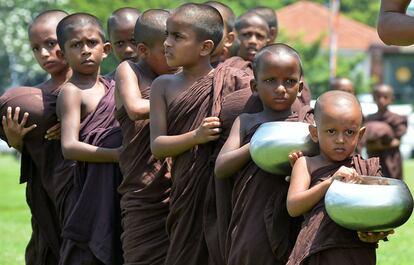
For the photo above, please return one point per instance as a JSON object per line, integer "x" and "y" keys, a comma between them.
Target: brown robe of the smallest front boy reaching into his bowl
{"x": 321, "y": 240}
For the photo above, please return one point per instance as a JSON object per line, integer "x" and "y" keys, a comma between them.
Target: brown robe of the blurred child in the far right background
{"x": 391, "y": 160}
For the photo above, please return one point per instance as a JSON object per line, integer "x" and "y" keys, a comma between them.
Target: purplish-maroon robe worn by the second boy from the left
{"x": 91, "y": 232}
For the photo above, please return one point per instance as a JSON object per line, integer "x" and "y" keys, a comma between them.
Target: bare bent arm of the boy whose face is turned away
{"x": 128, "y": 93}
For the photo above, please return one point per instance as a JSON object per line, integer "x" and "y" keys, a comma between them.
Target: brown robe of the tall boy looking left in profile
{"x": 192, "y": 170}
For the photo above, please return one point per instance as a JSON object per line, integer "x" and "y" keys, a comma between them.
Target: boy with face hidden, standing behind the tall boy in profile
{"x": 146, "y": 184}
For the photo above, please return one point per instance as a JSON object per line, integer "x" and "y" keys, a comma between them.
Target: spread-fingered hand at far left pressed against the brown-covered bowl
{"x": 15, "y": 130}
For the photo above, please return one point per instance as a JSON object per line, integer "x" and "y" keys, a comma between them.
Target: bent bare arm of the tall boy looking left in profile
{"x": 163, "y": 145}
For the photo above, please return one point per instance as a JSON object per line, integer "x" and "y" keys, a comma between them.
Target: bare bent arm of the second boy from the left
{"x": 69, "y": 111}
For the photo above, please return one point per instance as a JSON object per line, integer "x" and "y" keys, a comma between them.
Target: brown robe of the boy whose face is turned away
{"x": 145, "y": 191}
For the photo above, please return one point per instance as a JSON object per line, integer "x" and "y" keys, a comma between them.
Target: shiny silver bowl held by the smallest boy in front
{"x": 381, "y": 204}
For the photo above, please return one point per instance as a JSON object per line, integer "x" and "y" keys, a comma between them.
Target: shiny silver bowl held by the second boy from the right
{"x": 273, "y": 141}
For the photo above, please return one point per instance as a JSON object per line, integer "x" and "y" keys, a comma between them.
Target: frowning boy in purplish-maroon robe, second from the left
{"x": 91, "y": 136}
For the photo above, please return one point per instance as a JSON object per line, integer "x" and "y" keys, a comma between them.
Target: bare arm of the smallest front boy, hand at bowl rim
{"x": 301, "y": 198}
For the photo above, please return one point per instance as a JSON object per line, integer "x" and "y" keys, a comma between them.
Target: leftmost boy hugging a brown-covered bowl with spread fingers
{"x": 37, "y": 144}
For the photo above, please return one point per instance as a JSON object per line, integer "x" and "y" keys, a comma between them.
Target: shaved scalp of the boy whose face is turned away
{"x": 150, "y": 27}
